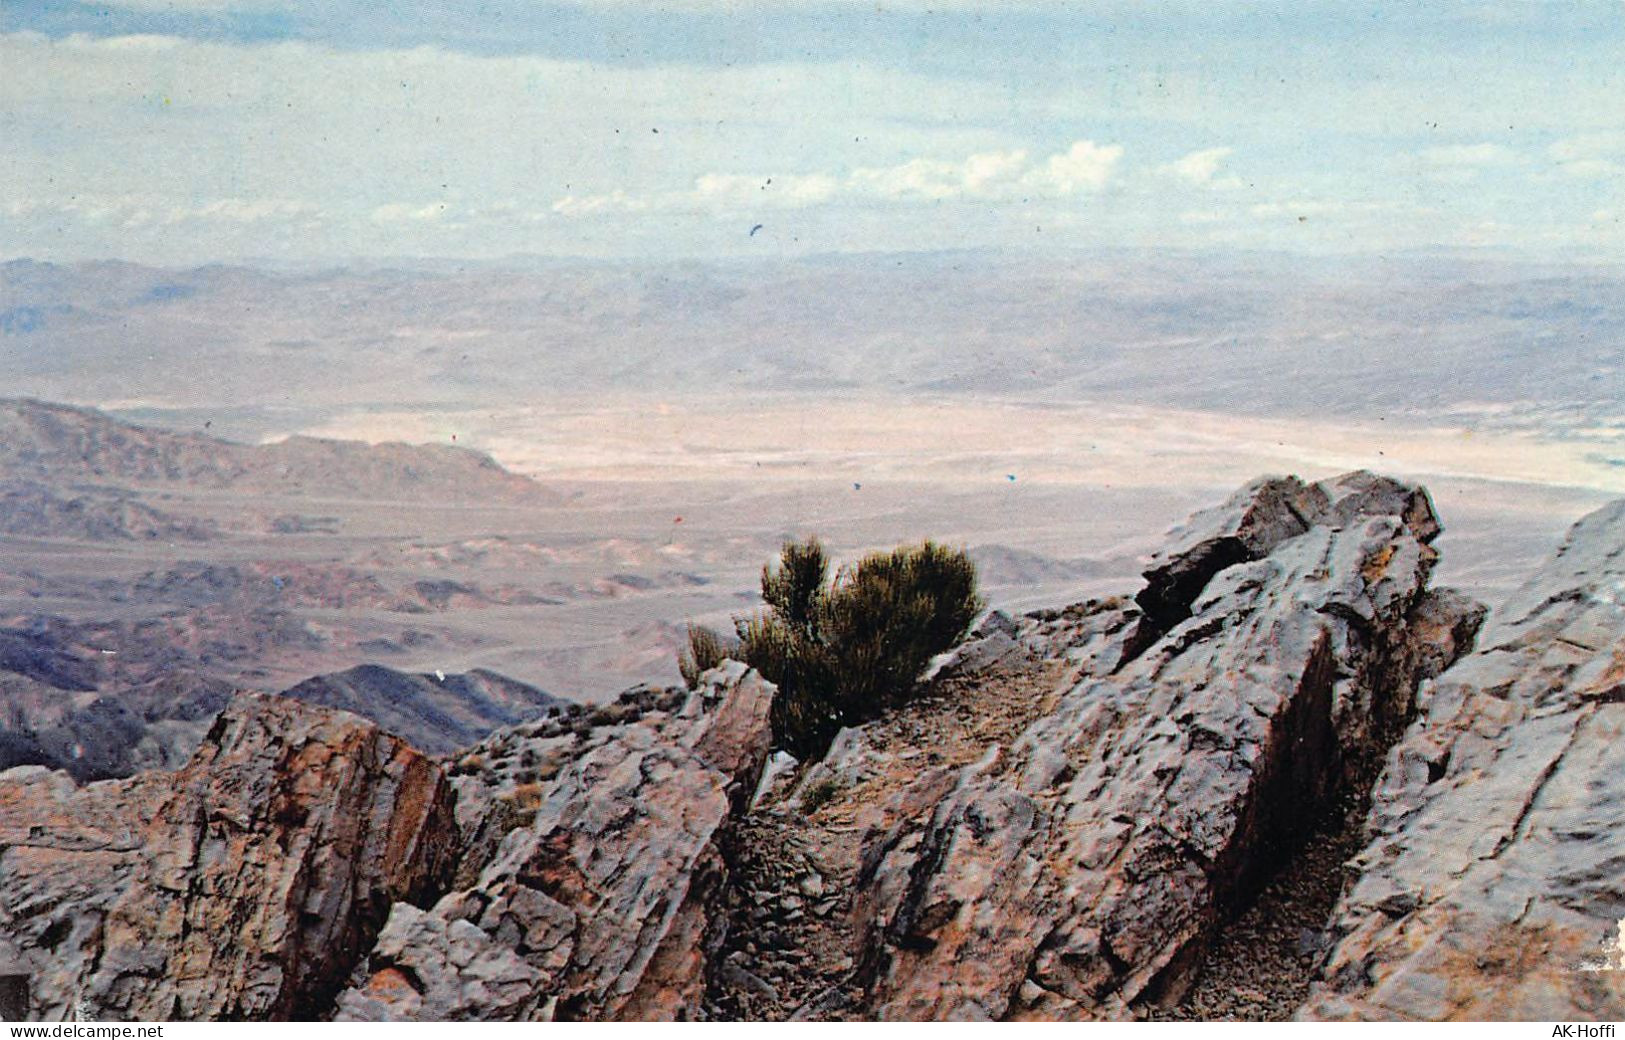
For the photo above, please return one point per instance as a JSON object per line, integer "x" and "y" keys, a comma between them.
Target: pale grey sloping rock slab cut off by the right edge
{"x": 1494, "y": 885}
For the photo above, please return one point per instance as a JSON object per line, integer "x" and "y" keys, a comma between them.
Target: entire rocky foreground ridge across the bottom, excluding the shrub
{"x": 1096, "y": 812}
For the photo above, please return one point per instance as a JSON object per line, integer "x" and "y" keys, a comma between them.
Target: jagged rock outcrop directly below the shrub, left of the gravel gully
{"x": 592, "y": 888}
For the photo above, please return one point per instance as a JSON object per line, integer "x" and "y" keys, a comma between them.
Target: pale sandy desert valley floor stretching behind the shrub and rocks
{"x": 657, "y": 513}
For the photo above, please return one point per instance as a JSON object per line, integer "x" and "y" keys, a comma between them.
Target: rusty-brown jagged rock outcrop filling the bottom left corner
{"x": 243, "y": 886}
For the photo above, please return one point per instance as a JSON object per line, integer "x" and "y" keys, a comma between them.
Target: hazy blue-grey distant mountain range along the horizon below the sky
{"x": 1252, "y": 334}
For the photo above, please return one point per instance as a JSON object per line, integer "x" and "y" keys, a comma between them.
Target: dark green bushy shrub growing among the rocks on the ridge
{"x": 846, "y": 651}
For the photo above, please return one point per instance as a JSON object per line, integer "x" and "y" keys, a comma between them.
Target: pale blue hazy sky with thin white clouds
{"x": 194, "y": 131}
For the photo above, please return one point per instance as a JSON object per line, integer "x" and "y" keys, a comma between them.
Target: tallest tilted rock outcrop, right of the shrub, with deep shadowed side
{"x": 1078, "y": 872}
